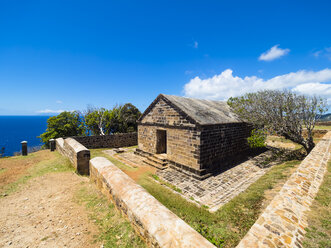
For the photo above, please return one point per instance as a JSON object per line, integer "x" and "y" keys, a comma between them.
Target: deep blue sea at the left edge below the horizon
{"x": 15, "y": 129}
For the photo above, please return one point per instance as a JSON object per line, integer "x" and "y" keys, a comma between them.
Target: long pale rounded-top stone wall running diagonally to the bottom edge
{"x": 153, "y": 221}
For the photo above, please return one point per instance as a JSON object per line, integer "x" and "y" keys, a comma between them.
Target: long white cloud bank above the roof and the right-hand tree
{"x": 225, "y": 85}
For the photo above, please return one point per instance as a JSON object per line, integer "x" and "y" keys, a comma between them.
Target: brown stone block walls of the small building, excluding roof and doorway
{"x": 198, "y": 149}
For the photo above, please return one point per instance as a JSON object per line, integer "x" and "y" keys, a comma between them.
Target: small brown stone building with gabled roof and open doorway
{"x": 194, "y": 136}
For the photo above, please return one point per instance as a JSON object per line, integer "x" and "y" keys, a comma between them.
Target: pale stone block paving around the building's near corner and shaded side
{"x": 216, "y": 190}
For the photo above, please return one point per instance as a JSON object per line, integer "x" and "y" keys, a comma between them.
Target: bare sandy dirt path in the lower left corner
{"x": 43, "y": 214}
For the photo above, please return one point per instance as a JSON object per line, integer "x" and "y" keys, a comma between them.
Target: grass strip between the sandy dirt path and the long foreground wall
{"x": 115, "y": 230}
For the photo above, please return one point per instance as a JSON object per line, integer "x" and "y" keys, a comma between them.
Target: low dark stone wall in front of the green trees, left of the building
{"x": 108, "y": 141}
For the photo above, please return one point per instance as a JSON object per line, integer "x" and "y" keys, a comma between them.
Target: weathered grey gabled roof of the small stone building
{"x": 203, "y": 112}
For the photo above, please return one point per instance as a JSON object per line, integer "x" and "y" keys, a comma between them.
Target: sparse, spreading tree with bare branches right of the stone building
{"x": 282, "y": 112}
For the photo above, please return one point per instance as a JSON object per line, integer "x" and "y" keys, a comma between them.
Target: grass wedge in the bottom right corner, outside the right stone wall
{"x": 319, "y": 221}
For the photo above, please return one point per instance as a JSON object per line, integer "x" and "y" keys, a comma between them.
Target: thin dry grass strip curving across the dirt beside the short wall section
{"x": 56, "y": 164}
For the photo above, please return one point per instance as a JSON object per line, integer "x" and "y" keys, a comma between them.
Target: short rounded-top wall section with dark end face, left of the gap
{"x": 78, "y": 154}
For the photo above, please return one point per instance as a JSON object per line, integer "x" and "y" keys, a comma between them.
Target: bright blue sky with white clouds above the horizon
{"x": 64, "y": 55}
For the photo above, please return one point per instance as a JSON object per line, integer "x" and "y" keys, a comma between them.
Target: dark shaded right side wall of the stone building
{"x": 222, "y": 143}
